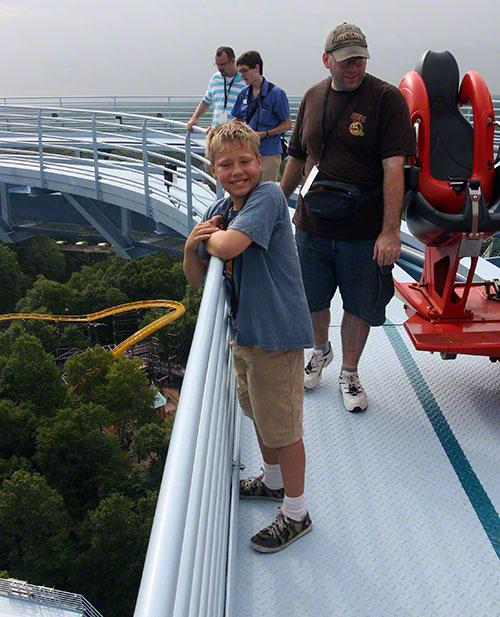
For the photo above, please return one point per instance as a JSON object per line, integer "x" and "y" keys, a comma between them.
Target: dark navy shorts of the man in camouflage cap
{"x": 326, "y": 264}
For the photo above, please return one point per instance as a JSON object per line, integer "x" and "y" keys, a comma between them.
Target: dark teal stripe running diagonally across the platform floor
{"x": 478, "y": 497}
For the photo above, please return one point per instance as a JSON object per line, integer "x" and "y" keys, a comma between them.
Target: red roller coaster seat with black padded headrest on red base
{"x": 452, "y": 194}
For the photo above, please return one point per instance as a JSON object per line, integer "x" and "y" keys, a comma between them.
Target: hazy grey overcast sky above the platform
{"x": 139, "y": 47}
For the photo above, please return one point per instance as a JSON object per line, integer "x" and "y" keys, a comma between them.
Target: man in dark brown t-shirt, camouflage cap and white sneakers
{"x": 352, "y": 128}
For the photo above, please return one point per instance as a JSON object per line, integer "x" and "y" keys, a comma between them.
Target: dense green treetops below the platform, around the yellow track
{"x": 80, "y": 467}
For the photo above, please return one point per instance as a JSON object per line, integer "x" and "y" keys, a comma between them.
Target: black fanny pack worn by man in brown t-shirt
{"x": 336, "y": 201}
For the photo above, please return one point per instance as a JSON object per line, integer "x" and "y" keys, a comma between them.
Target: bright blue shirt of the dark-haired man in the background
{"x": 271, "y": 108}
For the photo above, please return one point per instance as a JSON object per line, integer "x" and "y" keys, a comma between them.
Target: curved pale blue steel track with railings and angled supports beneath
{"x": 91, "y": 159}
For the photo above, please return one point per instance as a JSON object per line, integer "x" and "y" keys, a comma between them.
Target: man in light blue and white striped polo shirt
{"x": 222, "y": 90}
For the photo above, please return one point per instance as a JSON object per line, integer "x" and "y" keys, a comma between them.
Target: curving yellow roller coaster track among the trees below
{"x": 178, "y": 310}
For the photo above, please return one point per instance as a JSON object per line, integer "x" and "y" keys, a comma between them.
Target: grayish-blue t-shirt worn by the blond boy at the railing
{"x": 272, "y": 306}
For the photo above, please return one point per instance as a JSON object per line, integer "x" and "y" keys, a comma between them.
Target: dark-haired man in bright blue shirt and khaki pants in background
{"x": 265, "y": 108}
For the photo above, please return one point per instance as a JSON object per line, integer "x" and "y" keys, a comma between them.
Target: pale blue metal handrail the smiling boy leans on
{"x": 187, "y": 559}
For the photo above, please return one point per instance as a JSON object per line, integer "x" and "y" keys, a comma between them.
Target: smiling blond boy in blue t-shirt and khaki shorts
{"x": 270, "y": 323}
